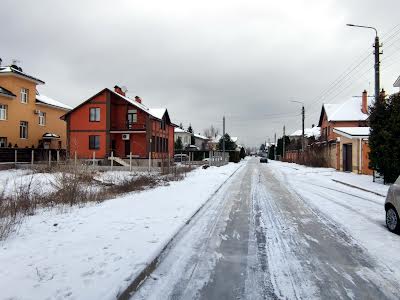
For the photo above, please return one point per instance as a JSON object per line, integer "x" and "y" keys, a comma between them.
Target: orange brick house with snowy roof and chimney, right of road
{"x": 344, "y": 134}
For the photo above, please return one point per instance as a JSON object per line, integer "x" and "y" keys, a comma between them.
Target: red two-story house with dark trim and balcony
{"x": 111, "y": 122}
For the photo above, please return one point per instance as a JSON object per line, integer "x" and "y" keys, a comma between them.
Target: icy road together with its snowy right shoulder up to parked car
{"x": 282, "y": 232}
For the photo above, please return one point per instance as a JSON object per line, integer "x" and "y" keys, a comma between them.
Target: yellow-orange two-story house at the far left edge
{"x": 28, "y": 118}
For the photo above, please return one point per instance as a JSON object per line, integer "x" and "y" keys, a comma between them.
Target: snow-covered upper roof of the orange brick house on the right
{"x": 349, "y": 110}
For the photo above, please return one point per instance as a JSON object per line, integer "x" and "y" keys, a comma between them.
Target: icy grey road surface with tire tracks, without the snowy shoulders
{"x": 257, "y": 239}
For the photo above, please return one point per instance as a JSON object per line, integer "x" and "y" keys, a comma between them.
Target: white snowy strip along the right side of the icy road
{"x": 358, "y": 212}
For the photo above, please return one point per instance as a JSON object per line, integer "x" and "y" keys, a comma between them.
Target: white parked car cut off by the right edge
{"x": 392, "y": 207}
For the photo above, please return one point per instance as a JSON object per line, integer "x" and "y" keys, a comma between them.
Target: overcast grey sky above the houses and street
{"x": 204, "y": 59}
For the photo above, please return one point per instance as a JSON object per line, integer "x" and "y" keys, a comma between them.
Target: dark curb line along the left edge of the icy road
{"x": 137, "y": 282}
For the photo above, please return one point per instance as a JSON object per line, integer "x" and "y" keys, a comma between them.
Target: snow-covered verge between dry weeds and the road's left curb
{"x": 94, "y": 252}
